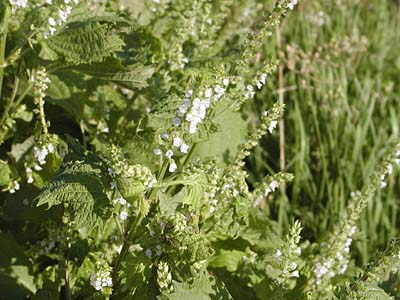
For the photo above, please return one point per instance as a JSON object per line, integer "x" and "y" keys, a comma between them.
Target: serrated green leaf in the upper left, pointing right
{"x": 82, "y": 43}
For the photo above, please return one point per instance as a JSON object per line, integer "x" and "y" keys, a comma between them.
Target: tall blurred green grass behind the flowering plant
{"x": 341, "y": 75}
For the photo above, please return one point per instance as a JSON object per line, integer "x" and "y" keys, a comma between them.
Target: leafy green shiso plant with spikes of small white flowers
{"x": 123, "y": 159}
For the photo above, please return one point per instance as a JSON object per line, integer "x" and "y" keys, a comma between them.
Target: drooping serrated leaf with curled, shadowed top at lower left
{"x": 80, "y": 188}
